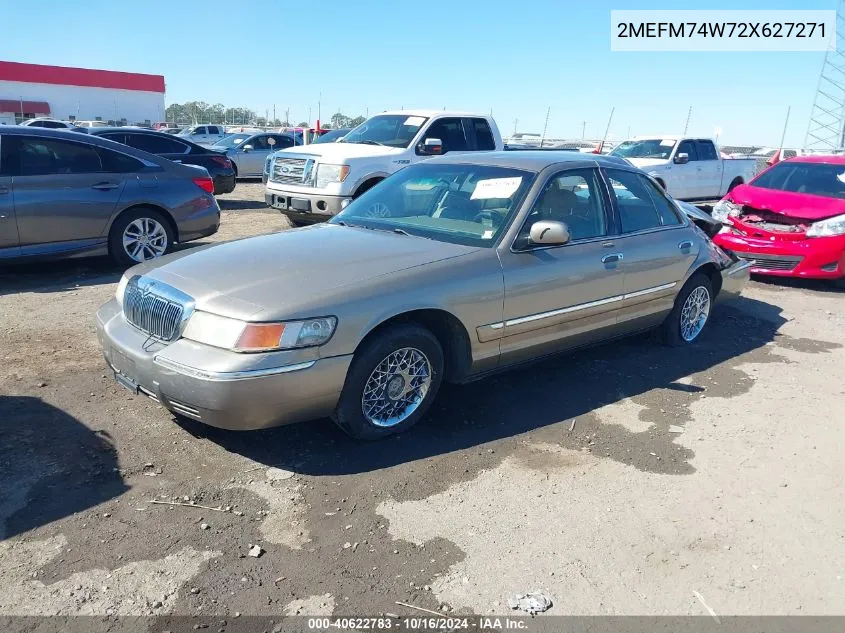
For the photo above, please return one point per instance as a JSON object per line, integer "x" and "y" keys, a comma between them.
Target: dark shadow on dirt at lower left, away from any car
{"x": 51, "y": 465}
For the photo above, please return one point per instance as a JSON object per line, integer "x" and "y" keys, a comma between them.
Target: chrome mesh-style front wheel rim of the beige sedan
{"x": 396, "y": 387}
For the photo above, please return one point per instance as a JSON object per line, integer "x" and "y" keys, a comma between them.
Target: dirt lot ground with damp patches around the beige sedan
{"x": 626, "y": 479}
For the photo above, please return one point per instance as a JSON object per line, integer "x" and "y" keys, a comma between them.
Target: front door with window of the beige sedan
{"x": 562, "y": 296}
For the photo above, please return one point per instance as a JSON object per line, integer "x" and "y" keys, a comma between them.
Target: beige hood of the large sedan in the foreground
{"x": 273, "y": 276}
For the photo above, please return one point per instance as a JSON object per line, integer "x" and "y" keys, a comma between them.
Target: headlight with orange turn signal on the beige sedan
{"x": 241, "y": 336}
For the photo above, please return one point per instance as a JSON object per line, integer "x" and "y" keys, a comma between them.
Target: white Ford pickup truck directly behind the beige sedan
{"x": 311, "y": 183}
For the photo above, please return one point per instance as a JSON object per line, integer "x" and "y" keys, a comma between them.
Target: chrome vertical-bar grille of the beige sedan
{"x": 152, "y": 312}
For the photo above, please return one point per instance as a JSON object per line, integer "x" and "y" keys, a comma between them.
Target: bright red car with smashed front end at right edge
{"x": 790, "y": 220}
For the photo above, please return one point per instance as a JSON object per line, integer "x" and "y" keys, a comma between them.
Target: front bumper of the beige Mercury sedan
{"x": 213, "y": 385}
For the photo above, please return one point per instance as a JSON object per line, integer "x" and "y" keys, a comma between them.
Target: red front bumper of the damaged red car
{"x": 809, "y": 258}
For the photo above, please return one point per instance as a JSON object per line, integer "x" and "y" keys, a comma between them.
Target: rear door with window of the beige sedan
{"x": 657, "y": 247}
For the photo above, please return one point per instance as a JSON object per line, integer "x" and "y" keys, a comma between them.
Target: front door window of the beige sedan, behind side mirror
{"x": 574, "y": 198}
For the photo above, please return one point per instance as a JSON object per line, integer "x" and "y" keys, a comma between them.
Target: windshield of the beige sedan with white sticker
{"x": 461, "y": 204}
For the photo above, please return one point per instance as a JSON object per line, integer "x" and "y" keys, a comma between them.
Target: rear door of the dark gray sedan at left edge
{"x": 62, "y": 191}
